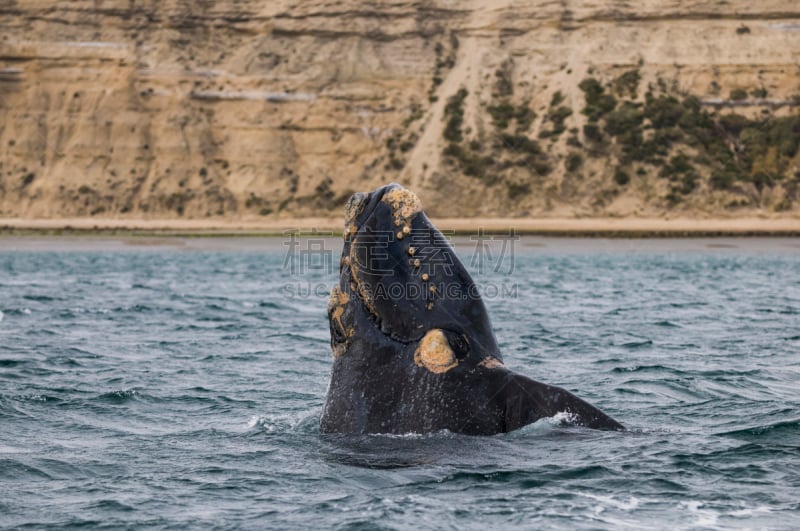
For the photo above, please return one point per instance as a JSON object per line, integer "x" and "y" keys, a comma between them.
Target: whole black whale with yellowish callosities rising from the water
{"x": 413, "y": 347}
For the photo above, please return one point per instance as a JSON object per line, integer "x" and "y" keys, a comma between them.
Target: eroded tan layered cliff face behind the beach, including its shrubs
{"x": 244, "y": 109}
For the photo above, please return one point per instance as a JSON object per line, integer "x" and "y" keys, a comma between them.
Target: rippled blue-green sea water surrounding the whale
{"x": 178, "y": 383}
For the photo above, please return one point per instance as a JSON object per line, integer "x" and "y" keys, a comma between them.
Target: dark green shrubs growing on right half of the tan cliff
{"x": 670, "y": 136}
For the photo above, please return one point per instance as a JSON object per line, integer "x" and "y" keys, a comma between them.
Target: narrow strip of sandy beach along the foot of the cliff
{"x": 562, "y": 227}
